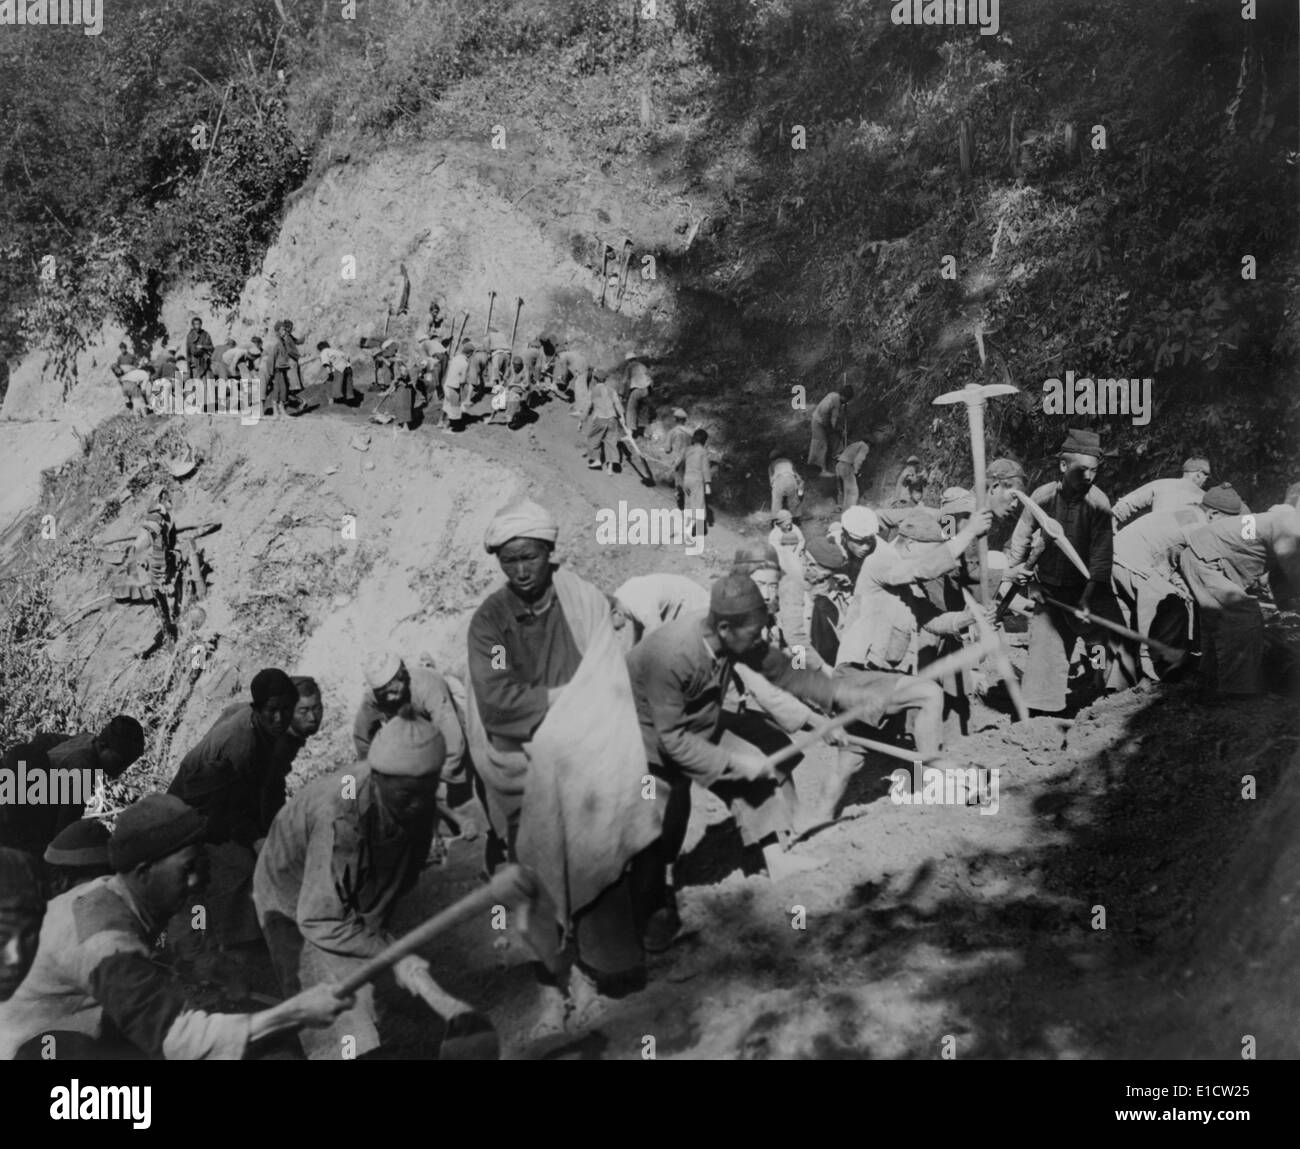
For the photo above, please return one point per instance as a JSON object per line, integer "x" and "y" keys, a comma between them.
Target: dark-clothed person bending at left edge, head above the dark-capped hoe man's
{"x": 67, "y": 768}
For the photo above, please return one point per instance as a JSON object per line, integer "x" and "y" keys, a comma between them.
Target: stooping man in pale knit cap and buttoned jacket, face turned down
{"x": 336, "y": 862}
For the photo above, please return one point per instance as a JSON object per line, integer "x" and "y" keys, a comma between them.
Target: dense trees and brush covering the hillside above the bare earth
{"x": 843, "y": 159}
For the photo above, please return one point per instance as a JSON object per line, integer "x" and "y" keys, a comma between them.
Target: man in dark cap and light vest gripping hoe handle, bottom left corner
{"x": 96, "y": 992}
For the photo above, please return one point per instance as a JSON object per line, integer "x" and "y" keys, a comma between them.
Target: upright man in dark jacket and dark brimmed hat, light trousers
{"x": 1084, "y": 514}
